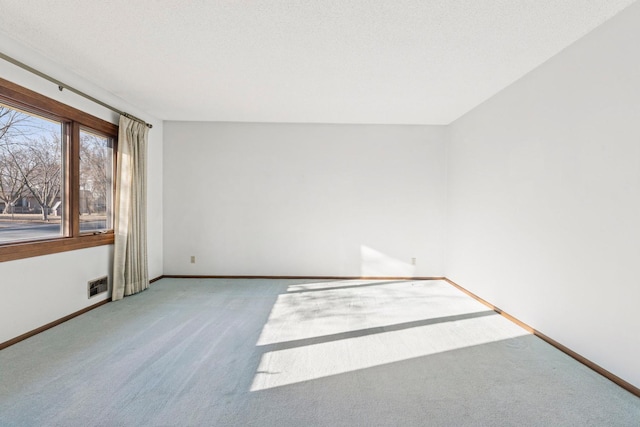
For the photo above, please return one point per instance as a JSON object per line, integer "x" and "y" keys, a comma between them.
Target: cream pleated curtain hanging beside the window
{"x": 130, "y": 271}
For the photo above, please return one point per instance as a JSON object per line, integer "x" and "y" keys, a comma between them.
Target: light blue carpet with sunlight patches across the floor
{"x": 192, "y": 352}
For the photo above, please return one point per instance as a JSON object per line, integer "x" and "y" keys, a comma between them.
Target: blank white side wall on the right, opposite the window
{"x": 544, "y": 198}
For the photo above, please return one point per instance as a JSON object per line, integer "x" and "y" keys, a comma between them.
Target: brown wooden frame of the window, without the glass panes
{"x": 74, "y": 119}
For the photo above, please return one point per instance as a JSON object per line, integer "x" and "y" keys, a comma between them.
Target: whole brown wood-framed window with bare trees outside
{"x": 56, "y": 176}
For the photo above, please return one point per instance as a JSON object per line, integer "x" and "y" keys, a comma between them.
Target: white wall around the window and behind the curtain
{"x": 36, "y": 291}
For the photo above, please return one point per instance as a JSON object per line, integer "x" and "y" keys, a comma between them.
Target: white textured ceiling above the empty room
{"x": 322, "y": 61}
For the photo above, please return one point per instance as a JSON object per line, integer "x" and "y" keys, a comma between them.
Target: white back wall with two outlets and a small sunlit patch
{"x": 303, "y": 199}
